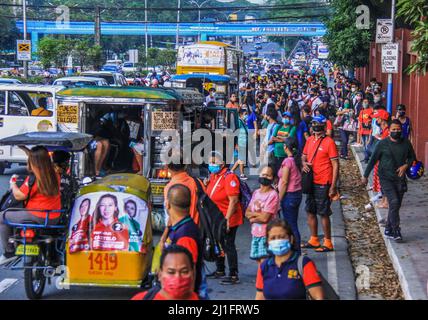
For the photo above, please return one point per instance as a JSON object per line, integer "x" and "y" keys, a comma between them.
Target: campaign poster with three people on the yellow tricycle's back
{"x": 108, "y": 221}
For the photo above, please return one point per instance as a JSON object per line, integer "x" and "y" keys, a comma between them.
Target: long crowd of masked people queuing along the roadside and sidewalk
{"x": 294, "y": 118}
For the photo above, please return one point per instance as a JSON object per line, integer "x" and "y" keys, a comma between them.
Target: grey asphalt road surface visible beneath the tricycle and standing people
{"x": 335, "y": 266}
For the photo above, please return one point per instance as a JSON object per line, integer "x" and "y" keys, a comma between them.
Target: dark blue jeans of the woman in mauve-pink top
{"x": 290, "y": 212}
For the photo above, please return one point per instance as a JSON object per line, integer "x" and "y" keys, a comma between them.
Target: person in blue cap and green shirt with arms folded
{"x": 282, "y": 132}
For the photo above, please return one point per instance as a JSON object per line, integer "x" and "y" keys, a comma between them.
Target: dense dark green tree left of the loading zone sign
{"x": 348, "y": 45}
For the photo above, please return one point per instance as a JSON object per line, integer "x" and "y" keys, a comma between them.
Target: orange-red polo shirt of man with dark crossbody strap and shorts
{"x": 321, "y": 165}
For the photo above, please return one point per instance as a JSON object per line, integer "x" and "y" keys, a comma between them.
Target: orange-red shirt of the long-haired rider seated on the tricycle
{"x": 39, "y": 201}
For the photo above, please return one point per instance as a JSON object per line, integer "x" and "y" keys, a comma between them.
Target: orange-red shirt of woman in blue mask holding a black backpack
{"x": 226, "y": 187}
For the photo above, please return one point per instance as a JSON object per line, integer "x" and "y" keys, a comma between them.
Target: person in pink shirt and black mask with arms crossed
{"x": 262, "y": 208}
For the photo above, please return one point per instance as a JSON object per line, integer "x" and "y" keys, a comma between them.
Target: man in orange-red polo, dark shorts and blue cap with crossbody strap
{"x": 320, "y": 154}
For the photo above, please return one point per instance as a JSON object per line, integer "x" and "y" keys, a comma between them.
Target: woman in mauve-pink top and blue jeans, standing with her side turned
{"x": 290, "y": 186}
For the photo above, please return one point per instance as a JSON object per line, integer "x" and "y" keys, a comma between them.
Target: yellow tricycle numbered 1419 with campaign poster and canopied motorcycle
{"x": 103, "y": 237}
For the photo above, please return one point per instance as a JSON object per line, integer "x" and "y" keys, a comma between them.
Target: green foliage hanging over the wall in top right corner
{"x": 415, "y": 12}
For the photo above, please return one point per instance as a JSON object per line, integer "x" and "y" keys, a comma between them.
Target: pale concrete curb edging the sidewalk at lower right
{"x": 411, "y": 288}
